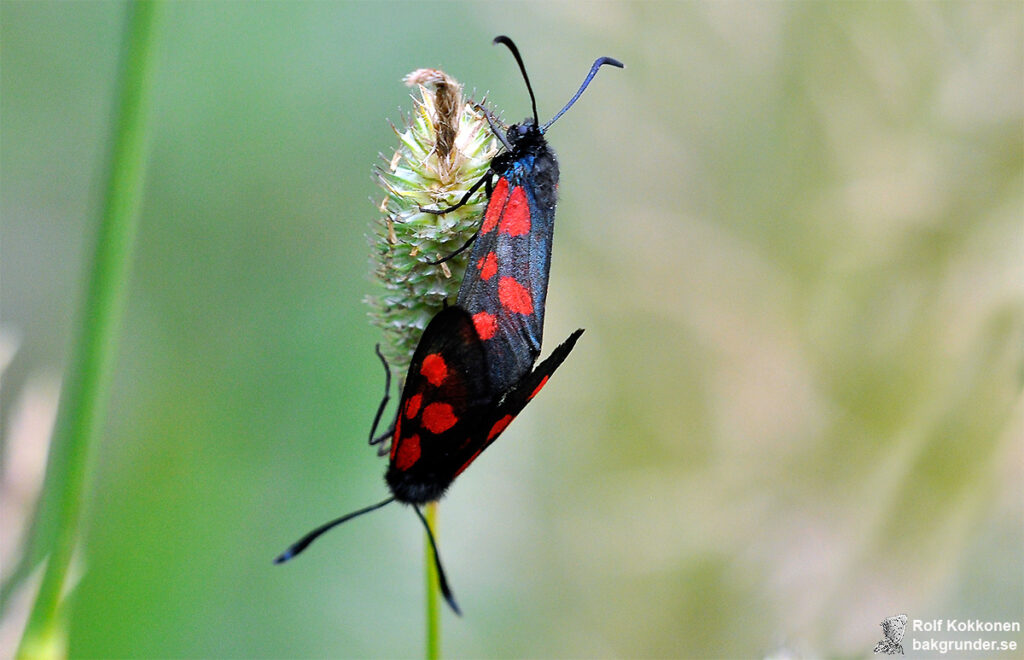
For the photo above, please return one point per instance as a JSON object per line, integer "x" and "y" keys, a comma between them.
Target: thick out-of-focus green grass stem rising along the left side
{"x": 86, "y": 394}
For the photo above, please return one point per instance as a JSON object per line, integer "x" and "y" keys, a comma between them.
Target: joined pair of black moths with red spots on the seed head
{"x": 474, "y": 371}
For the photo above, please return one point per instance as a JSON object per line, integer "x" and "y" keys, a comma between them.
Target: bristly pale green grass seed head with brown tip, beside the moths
{"x": 445, "y": 149}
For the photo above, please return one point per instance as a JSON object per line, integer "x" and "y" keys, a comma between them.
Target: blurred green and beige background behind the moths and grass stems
{"x": 794, "y": 234}
